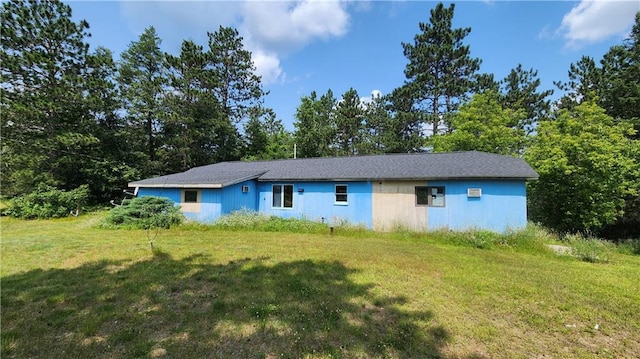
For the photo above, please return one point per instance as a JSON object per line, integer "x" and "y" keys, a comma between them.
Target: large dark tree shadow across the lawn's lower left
{"x": 248, "y": 308}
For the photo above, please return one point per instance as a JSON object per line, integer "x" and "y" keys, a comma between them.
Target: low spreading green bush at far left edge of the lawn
{"x": 48, "y": 202}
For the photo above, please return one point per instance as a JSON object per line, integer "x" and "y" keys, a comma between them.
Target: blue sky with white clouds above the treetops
{"x": 303, "y": 46}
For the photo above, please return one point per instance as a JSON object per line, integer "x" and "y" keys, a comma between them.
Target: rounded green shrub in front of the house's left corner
{"x": 145, "y": 213}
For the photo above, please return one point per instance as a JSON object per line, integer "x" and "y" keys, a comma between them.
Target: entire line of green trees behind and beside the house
{"x": 71, "y": 117}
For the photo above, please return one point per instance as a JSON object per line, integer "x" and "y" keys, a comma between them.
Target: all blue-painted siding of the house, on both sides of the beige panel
{"x": 501, "y": 207}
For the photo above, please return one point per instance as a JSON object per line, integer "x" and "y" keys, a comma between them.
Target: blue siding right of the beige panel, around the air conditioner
{"x": 503, "y": 206}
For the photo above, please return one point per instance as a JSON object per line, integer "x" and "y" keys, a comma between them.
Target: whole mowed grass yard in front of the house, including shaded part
{"x": 70, "y": 289}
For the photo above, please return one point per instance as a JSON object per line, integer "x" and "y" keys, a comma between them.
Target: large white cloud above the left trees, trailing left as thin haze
{"x": 271, "y": 29}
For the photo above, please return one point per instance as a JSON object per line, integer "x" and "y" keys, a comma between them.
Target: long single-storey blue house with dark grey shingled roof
{"x": 421, "y": 191}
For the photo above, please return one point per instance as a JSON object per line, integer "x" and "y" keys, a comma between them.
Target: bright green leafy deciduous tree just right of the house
{"x": 587, "y": 167}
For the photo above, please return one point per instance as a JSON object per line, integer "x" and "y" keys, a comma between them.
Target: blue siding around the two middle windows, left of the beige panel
{"x": 317, "y": 202}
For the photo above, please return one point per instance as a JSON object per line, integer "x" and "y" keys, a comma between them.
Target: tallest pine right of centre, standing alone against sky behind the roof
{"x": 440, "y": 72}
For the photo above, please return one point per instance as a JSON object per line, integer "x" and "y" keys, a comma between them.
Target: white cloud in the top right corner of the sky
{"x": 591, "y": 21}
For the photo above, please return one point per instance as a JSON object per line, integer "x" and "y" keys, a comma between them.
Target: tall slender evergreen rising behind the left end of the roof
{"x": 143, "y": 80}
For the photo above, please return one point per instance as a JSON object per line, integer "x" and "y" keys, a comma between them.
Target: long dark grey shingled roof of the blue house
{"x": 415, "y": 166}
